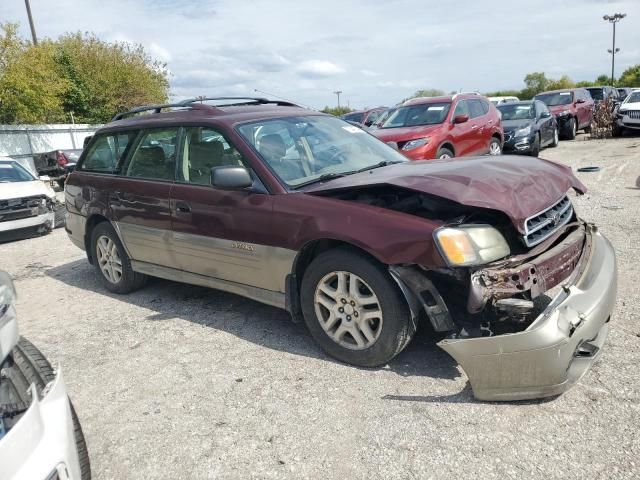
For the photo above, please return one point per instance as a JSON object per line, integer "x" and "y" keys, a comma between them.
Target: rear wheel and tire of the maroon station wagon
{"x": 112, "y": 262}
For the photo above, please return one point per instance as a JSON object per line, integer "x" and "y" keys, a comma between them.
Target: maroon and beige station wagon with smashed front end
{"x": 306, "y": 212}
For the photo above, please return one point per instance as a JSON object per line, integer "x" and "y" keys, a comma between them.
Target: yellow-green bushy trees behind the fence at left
{"x": 77, "y": 73}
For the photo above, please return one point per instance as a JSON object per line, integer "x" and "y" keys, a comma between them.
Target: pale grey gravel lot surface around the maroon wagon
{"x": 181, "y": 382}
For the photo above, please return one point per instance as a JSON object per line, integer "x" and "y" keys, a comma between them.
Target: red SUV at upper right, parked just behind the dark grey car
{"x": 573, "y": 109}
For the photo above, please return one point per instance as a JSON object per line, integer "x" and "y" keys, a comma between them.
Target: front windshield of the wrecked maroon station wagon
{"x": 301, "y": 150}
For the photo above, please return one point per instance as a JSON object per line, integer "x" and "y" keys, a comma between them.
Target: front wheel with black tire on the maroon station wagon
{"x": 353, "y": 309}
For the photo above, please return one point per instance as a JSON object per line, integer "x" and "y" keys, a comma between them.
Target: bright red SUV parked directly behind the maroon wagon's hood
{"x": 444, "y": 127}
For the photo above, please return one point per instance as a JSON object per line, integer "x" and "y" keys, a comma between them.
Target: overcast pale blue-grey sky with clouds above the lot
{"x": 376, "y": 51}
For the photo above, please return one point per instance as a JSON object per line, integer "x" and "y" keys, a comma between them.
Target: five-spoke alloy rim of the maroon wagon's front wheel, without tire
{"x": 348, "y": 310}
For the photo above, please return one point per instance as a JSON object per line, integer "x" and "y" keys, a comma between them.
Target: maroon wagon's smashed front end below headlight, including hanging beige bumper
{"x": 512, "y": 345}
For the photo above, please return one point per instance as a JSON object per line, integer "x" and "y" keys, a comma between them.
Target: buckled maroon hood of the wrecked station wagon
{"x": 518, "y": 186}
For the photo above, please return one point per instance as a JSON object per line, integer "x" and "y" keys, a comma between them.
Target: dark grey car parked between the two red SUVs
{"x": 528, "y": 127}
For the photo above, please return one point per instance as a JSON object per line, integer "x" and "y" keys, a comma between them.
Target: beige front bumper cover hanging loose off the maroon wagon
{"x": 558, "y": 348}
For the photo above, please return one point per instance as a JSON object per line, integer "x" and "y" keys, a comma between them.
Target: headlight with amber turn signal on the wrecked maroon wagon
{"x": 469, "y": 245}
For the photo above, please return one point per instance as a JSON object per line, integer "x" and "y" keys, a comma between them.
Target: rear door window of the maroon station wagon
{"x": 155, "y": 155}
